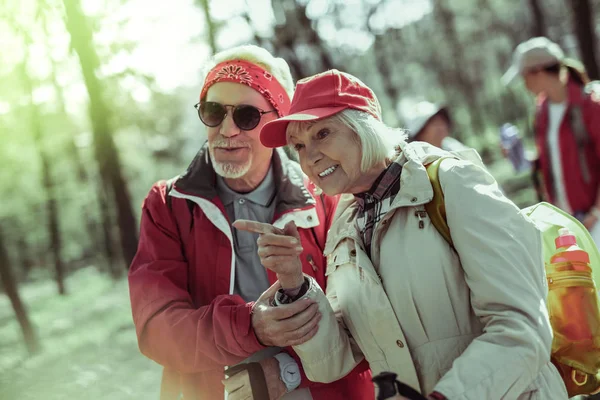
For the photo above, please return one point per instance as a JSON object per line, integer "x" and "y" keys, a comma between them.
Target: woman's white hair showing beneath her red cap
{"x": 377, "y": 140}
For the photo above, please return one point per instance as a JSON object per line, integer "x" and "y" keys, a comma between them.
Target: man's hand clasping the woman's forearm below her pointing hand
{"x": 287, "y": 324}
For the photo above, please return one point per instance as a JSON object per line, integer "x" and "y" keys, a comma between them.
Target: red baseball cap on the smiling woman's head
{"x": 320, "y": 96}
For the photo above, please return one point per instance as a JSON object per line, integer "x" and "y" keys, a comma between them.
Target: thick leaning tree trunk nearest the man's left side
{"x": 104, "y": 145}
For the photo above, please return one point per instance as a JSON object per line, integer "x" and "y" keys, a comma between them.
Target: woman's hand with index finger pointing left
{"x": 278, "y": 250}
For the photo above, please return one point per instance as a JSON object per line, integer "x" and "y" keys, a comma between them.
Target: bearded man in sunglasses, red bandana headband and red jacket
{"x": 201, "y": 300}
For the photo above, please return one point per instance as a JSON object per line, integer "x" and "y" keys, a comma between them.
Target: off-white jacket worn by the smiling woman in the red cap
{"x": 471, "y": 324}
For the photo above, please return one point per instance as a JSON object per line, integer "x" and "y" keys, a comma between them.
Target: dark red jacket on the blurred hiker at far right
{"x": 581, "y": 195}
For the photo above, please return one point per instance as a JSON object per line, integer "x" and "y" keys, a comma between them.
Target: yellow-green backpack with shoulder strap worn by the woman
{"x": 577, "y": 362}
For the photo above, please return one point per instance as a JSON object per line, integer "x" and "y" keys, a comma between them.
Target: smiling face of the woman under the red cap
{"x": 330, "y": 155}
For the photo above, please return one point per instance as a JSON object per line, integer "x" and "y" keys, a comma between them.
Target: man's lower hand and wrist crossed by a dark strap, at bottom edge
{"x": 238, "y": 387}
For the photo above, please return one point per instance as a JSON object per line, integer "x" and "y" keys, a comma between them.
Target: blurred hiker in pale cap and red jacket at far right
{"x": 567, "y": 128}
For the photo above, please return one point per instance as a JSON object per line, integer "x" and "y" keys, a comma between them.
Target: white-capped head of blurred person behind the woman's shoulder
{"x": 431, "y": 123}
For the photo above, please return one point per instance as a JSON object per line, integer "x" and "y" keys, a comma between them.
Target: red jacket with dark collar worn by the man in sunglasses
{"x": 182, "y": 277}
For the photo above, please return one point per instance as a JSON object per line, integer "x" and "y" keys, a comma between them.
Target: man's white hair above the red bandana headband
{"x": 276, "y": 66}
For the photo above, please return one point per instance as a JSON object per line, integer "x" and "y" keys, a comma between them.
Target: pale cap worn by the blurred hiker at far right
{"x": 534, "y": 53}
